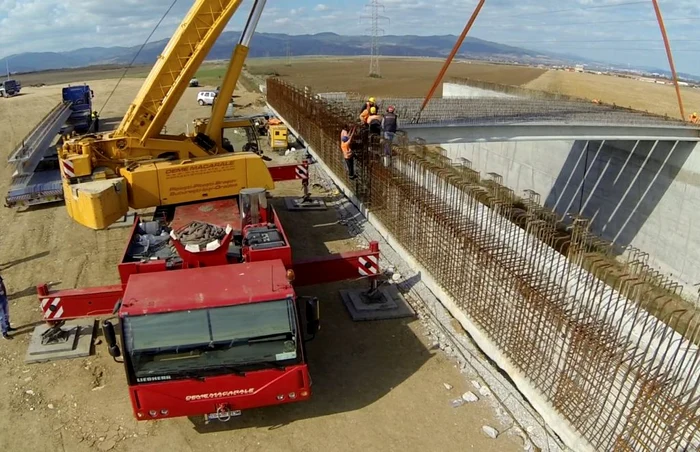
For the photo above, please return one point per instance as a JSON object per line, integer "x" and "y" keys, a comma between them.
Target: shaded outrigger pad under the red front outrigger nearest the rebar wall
{"x": 385, "y": 303}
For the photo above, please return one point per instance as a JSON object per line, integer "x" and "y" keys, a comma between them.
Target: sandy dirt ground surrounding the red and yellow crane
{"x": 378, "y": 386}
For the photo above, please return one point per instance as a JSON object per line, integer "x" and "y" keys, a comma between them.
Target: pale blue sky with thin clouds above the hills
{"x": 618, "y": 31}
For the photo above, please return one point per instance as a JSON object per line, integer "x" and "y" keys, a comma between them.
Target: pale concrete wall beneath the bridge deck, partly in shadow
{"x": 645, "y": 194}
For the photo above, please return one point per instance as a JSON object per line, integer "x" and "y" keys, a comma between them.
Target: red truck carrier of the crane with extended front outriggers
{"x": 208, "y": 319}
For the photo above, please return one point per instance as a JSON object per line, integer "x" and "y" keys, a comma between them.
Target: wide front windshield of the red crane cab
{"x": 206, "y": 342}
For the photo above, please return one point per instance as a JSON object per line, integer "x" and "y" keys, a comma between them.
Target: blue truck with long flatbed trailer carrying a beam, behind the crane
{"x": 37, "y": 176}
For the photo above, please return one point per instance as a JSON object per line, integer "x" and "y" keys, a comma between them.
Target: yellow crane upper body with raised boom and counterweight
{"x": 137, "y": 166}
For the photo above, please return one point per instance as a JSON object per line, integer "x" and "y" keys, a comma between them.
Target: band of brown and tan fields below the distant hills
{"x": 404, "y": 77}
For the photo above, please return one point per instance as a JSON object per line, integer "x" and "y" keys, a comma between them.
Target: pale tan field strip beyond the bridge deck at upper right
{"x": 626, "y": 92}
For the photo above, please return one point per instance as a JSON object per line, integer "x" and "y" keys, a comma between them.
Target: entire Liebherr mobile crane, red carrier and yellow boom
{"x": 207, "y": 316}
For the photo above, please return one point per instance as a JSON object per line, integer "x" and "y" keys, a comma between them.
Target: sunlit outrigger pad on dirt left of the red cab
{"x": 64, "y": 340}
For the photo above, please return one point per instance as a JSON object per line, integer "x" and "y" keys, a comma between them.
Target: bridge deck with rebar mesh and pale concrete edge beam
{"x": 455, "y": 120}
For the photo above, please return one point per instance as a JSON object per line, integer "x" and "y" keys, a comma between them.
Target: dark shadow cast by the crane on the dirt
{"x": 352, "y": 364}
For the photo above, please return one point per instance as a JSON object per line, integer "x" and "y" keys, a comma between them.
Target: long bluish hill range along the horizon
{"x": 275, "y": 45}
